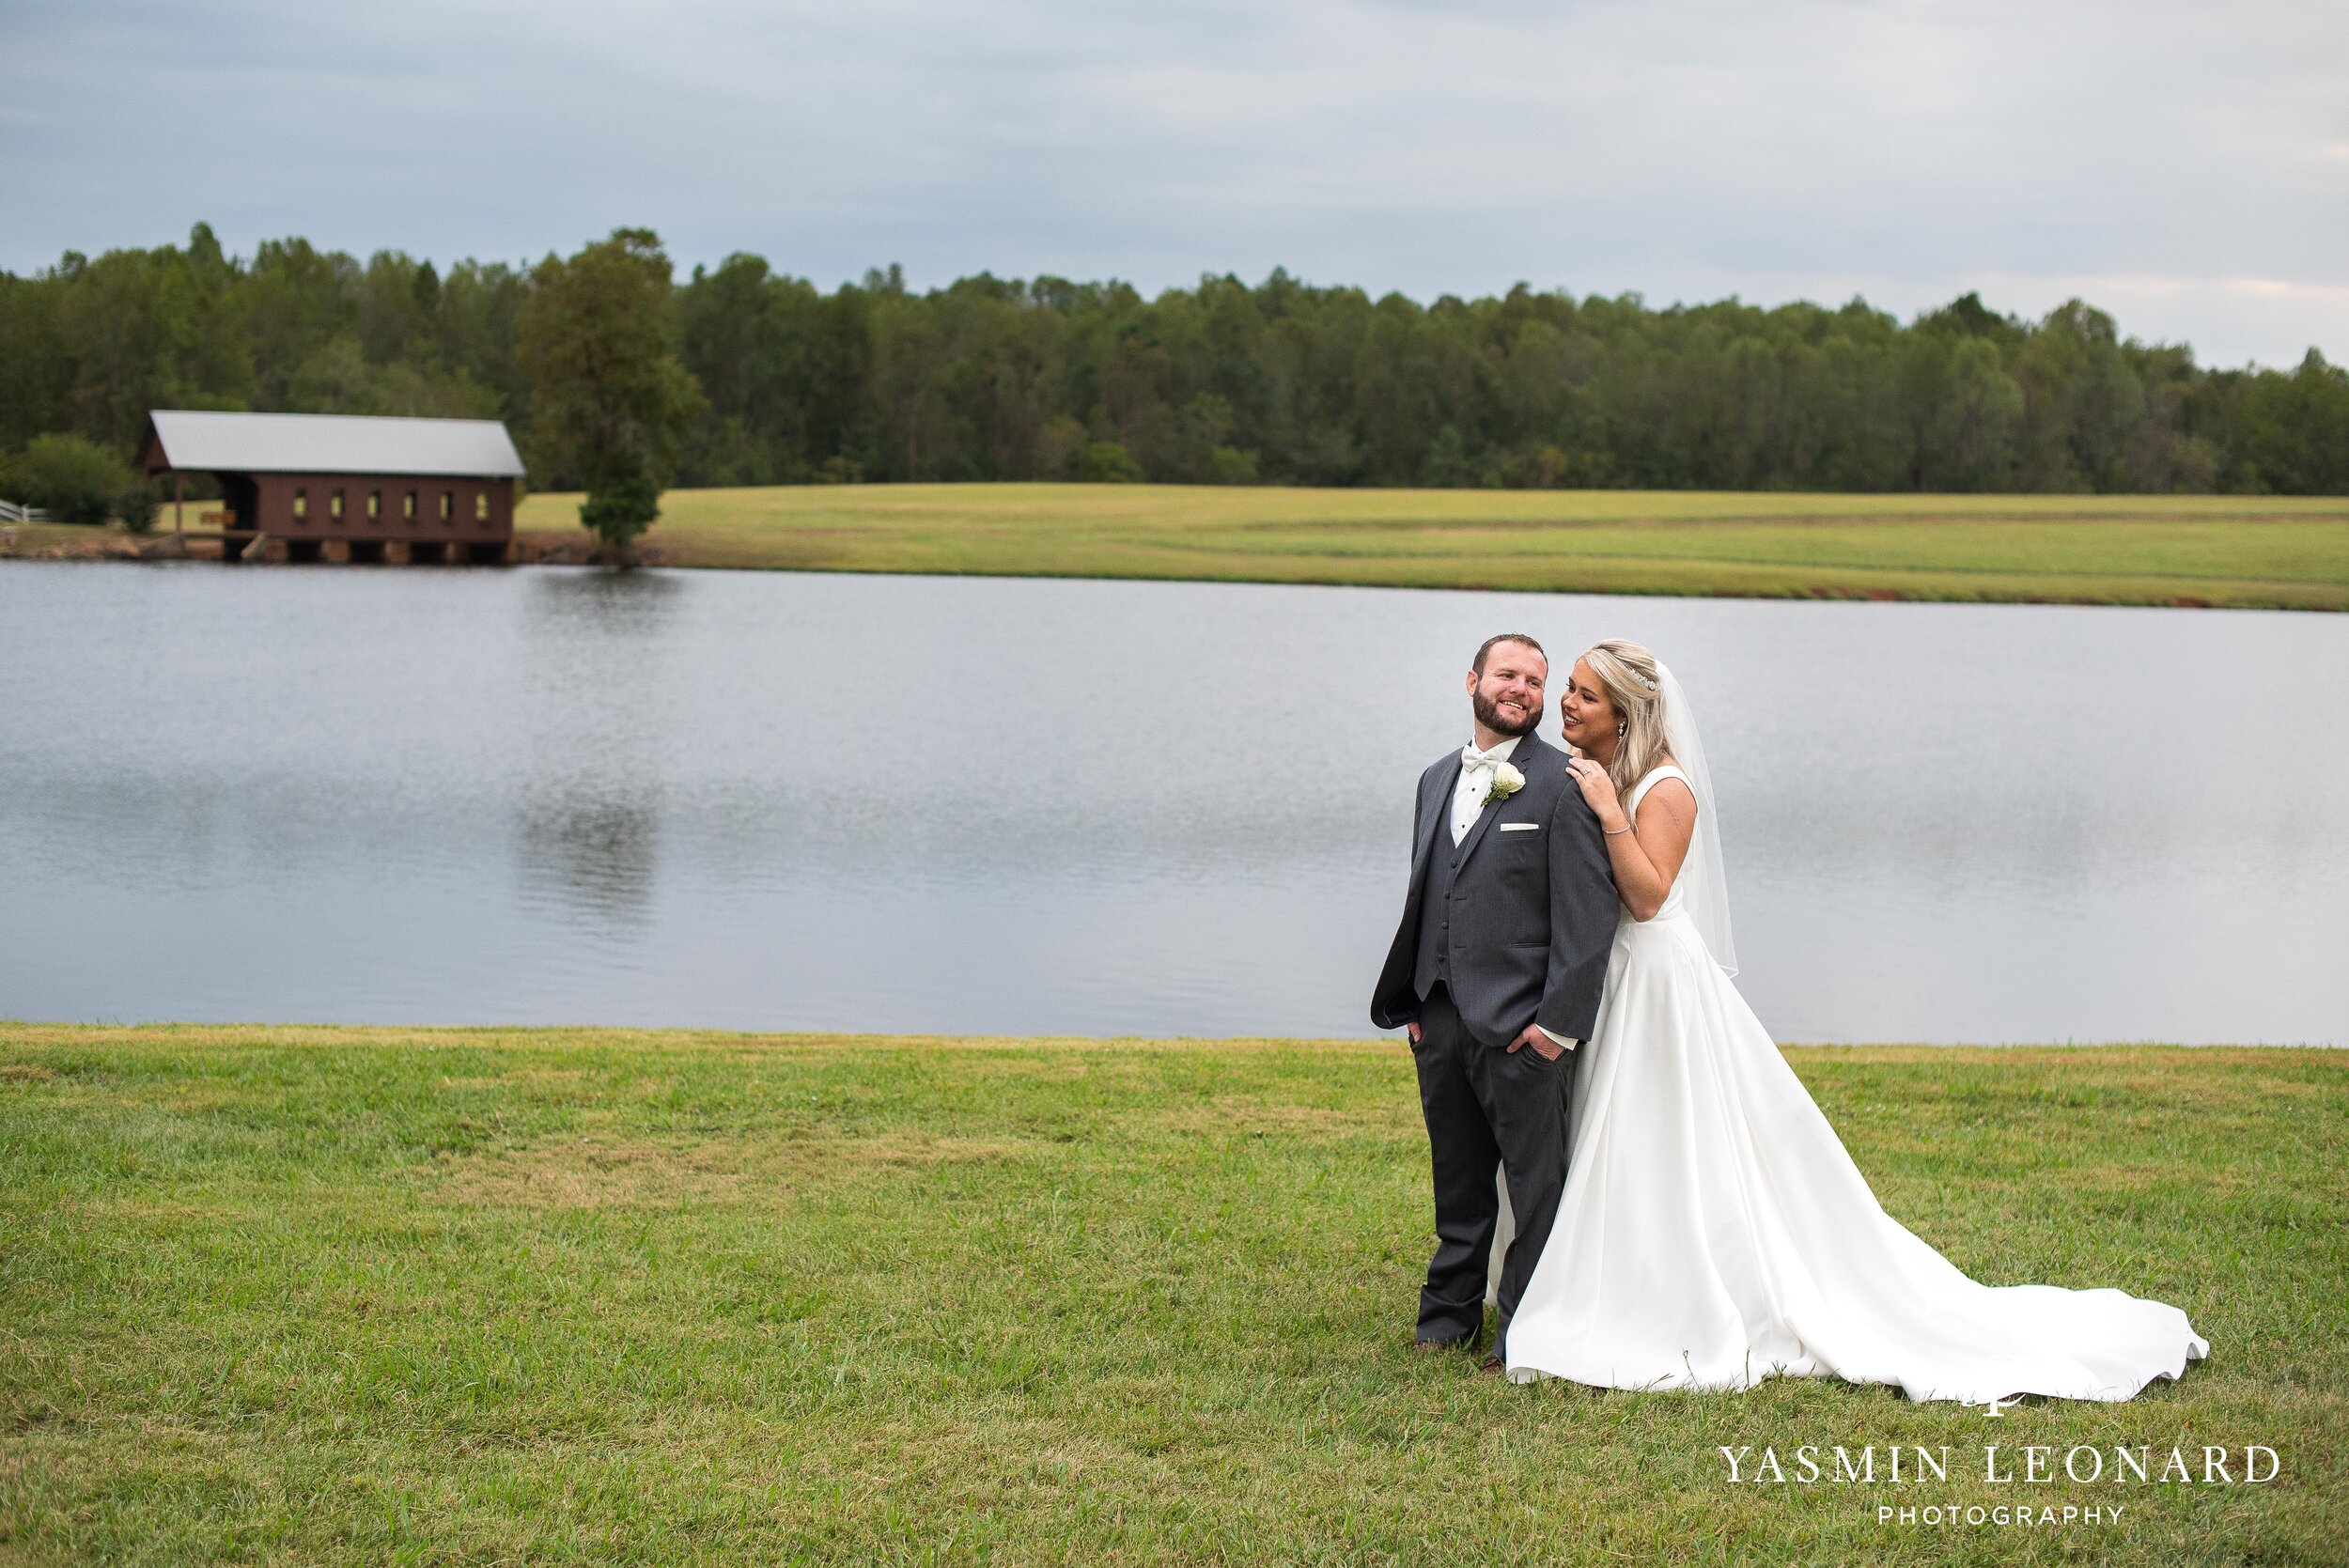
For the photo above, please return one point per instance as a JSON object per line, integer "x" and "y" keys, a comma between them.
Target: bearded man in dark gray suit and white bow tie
{"x": 1497, "y": 973}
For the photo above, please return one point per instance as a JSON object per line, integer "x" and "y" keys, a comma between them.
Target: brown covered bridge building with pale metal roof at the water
{"x": 346, "y": 487}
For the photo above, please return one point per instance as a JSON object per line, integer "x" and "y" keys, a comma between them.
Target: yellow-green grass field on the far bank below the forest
{"x": 2223, "y": 550}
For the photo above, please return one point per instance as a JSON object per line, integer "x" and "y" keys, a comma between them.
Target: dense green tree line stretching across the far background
{"x": 621, "y": 377}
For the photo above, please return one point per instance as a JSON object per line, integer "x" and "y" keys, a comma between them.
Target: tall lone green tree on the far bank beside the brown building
{"x": 610, "y": 396}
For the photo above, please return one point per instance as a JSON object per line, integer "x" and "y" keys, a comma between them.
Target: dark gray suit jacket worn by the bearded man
{"x": 1533, "y": 910}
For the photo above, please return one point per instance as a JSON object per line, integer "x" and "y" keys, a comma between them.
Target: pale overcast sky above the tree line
{"x": 2181, "y": 163}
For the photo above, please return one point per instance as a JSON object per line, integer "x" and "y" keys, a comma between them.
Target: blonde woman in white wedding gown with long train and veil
{"x": 1714, "y": 1229}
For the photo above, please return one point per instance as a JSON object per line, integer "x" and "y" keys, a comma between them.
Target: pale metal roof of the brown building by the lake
{"x": 335, "y": 445}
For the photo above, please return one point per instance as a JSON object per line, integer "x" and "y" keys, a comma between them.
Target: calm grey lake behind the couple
{"x": 1110, "y": 809}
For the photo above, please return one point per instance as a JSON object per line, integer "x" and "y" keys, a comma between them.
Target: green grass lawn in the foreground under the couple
{"x": 464, "y": 1297}
